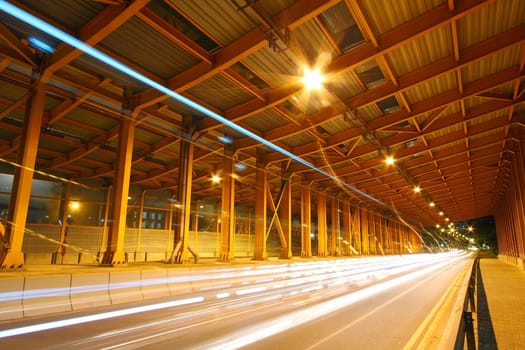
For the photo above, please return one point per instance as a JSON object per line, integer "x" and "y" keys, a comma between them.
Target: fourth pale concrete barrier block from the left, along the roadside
{"x": 124, "y": 286}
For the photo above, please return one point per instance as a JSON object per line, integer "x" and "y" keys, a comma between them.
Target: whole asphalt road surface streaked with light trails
{"x": 376, "y": 303}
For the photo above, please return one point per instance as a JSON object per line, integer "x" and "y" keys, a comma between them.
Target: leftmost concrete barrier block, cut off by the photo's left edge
{"x": 11, "y": 293}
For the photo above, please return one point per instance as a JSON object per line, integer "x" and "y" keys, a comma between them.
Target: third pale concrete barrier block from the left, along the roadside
{"x": 89, "y": 290}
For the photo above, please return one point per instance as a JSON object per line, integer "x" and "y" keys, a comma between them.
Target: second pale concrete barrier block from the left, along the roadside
{"x": 46, "y": 294}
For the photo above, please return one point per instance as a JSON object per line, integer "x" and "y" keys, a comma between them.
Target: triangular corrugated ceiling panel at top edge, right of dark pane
{"x": 388, "y": 14}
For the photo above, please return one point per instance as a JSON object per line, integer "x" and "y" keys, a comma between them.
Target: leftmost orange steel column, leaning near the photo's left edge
{"x": 13, "y": 257}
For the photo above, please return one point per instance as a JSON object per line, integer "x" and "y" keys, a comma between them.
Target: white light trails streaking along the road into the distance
{"x": 260, "y": 303}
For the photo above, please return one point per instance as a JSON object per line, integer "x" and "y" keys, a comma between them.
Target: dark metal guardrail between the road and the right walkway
{"x": 466, "y": 327}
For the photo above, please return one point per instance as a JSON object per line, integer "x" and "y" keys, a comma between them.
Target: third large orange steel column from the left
{"x": 180, "y": 253}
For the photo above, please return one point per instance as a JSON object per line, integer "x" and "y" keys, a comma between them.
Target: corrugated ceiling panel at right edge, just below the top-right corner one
{"x": 490, "y": 65}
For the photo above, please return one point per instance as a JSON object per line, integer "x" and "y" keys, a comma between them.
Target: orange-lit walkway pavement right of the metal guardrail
{"x": 501, "y": 306}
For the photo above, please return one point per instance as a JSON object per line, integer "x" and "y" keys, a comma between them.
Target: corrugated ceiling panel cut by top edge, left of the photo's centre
{"x": 220, "y": 19}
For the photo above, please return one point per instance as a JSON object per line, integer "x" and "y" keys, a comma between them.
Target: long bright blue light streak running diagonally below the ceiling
{"x": 72, "y": 41}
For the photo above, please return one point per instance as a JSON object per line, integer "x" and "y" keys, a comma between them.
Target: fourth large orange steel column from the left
{"x": 227, "y": 248}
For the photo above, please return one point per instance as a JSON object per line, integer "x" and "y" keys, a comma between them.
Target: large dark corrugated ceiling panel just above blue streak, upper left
{"x": 139, "y": 43}
